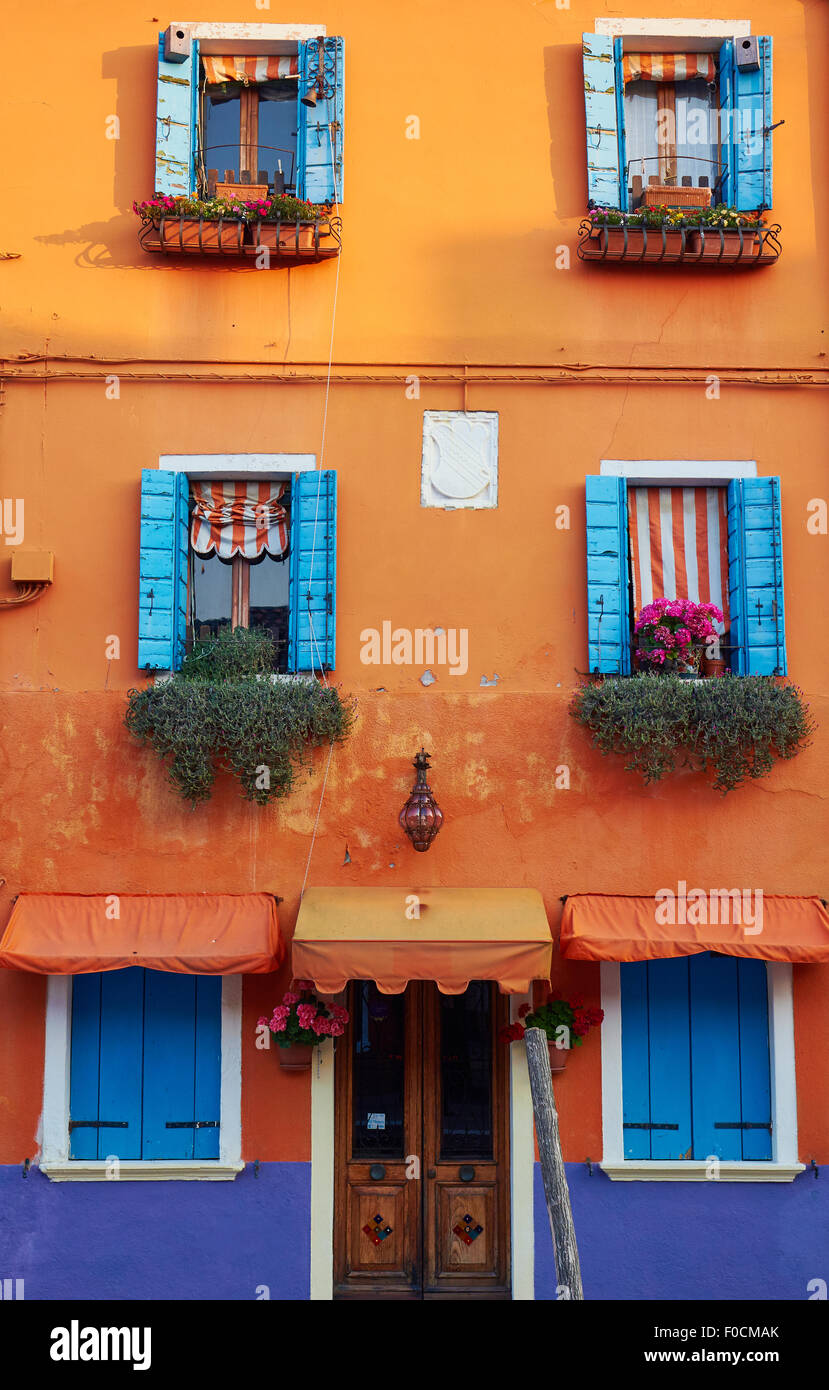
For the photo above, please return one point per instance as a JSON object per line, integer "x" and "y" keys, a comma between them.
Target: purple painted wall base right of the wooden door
{"x": 691, "y": 1241}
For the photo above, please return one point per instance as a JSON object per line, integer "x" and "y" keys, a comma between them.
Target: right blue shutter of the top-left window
{"x": 321, "y": 129}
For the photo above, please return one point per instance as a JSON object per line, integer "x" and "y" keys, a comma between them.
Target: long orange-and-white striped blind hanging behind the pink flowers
{"x": 679, "y": 546}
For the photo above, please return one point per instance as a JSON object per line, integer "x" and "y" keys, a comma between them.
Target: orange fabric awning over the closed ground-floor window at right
{"x": 739, "y": 924}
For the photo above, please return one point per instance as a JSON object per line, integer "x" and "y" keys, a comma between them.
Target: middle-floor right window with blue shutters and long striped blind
{"x": 710, "y": 544}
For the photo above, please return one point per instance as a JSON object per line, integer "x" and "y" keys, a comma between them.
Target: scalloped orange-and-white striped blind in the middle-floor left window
{"x": 239, "y": 519}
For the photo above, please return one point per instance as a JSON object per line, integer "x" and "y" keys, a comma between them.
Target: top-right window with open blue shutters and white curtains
{"x": 700, "y": 117}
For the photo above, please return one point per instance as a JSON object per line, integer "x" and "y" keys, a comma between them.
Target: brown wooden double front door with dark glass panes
{"x": 422, "y": 1174}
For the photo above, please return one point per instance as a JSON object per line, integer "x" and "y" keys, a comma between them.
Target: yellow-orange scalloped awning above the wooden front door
{"x": 450, "y": 936}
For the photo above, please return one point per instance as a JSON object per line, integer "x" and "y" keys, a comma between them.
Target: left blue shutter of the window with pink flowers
{"x": 609, "y": 576}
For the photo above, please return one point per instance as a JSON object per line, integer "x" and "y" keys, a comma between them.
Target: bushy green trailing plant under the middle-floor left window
{"x": 226, "y": 712}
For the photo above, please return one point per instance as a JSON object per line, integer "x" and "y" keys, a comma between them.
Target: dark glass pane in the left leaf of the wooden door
{"x": 379, "y": 1075}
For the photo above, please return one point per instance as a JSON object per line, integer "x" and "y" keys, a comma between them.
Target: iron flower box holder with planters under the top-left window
{"x": 284, "y": 241}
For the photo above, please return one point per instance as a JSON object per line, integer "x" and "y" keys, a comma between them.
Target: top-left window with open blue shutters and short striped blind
{"x": 225, "y": 111}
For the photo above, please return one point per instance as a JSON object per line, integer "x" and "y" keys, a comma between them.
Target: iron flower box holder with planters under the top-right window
{"x": 675, "y": 245}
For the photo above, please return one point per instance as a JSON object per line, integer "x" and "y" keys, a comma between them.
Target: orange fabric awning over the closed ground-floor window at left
{"x": 74, "y": 933}
